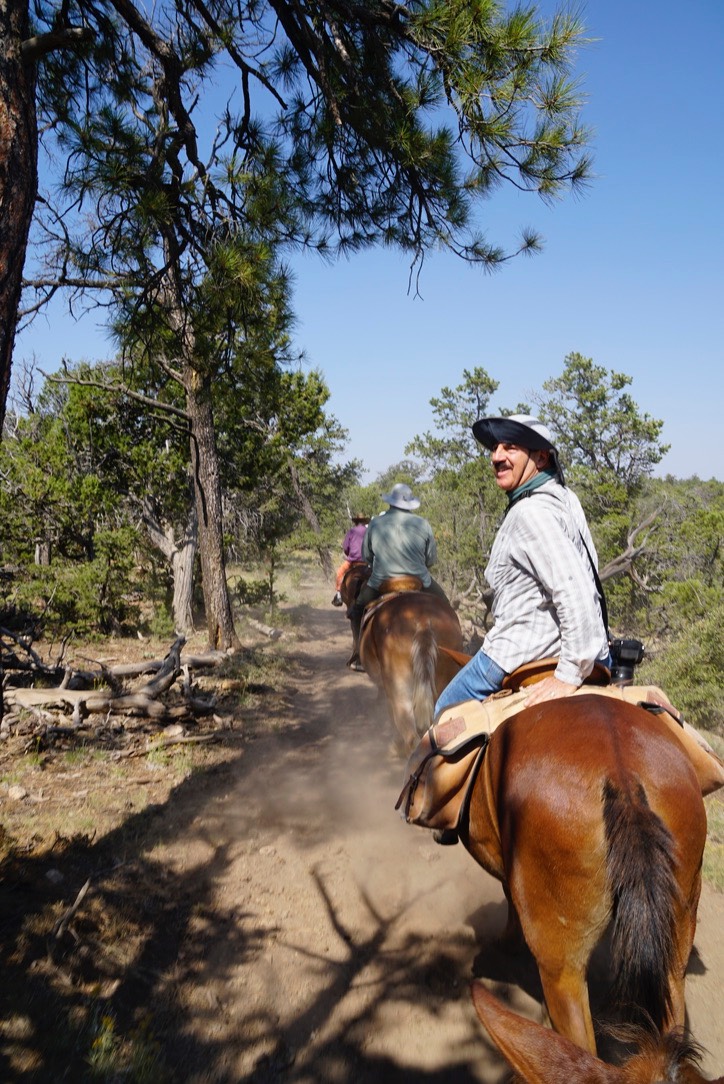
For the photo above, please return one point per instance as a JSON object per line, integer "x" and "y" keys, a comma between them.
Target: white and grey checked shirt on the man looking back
{"x": 546, "y": 599}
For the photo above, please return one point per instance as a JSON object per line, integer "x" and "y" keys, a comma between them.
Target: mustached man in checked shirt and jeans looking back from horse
{"x": 542, "y": 571}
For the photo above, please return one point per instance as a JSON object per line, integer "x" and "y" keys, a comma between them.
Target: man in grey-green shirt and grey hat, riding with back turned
{"x": 397, "y": 544}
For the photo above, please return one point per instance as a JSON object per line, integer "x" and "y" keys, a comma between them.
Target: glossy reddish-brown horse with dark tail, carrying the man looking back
{"x": 591, "y": 815}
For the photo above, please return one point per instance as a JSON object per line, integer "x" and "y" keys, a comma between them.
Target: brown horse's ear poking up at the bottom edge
{"x": 540, "y": 1056}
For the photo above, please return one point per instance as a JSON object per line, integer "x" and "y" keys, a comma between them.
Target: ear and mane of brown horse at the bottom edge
{"x": 539, "y": 1056}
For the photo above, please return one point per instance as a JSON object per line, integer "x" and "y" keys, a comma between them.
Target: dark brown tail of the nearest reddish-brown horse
{"x": 641, "y": 870}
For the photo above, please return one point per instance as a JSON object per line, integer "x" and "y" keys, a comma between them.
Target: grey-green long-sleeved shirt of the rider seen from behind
{"x": 399, "y": 544}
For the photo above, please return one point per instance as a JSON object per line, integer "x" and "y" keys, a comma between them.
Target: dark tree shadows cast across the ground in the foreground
{"x": 145, "y": 932}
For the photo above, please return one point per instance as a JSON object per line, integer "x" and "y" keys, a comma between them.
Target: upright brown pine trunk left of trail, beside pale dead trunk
{"x": 205, "y": 466}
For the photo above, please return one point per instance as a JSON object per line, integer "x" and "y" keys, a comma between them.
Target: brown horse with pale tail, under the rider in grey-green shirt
{"x": 400, "y": 651}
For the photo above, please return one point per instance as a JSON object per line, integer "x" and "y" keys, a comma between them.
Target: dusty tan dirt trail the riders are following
{"x": 332, "y": 941}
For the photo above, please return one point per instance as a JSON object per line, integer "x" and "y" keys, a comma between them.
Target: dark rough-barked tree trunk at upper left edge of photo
{"x": 19, "y": 175}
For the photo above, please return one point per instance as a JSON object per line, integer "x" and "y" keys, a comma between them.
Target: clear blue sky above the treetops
{"x": 632, "y": 274}
